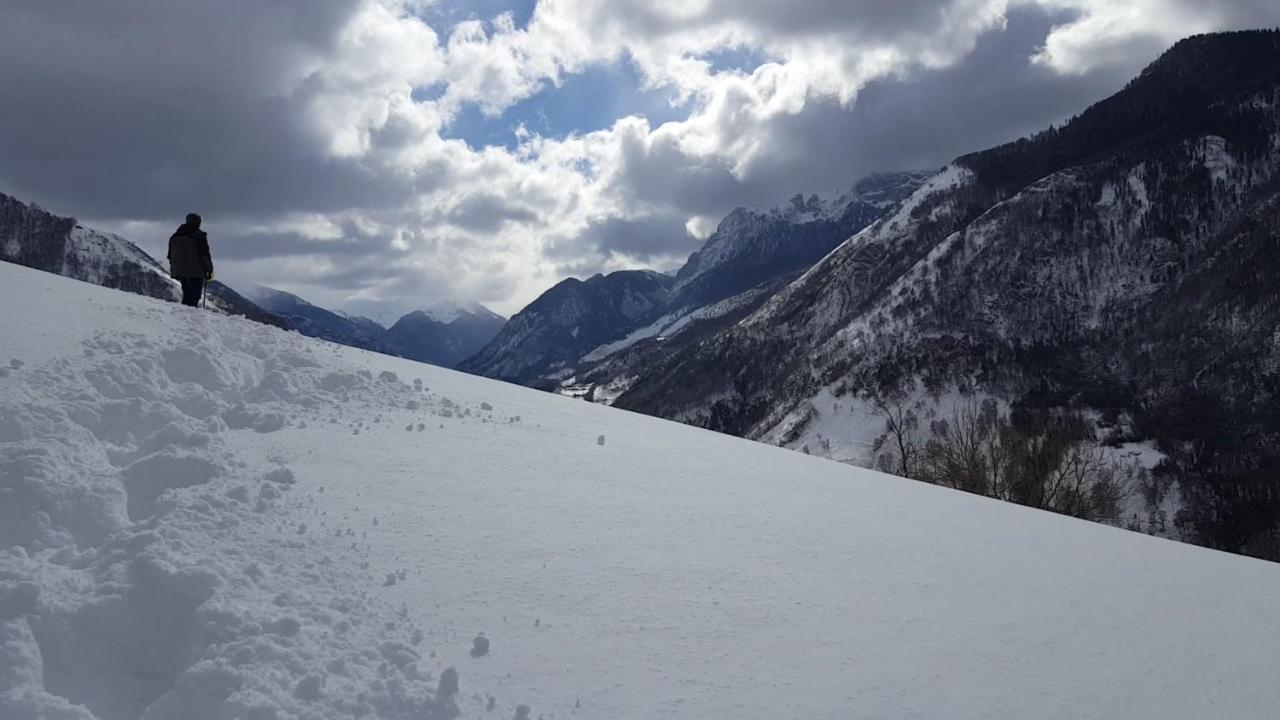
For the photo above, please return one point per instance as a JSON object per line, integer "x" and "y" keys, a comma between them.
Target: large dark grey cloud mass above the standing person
{"x": 124, "y": 112}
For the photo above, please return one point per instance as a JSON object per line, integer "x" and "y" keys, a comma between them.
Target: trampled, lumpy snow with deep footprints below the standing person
{"x": 122, "y": 598}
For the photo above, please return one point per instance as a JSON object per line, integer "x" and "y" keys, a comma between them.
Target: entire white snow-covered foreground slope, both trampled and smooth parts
{"x": 205, "y": 518}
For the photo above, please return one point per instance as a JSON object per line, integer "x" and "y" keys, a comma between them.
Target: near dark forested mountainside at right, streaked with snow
{"x": 1122, "y": 270}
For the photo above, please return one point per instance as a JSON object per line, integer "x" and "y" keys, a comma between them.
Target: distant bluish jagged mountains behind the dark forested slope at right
{"x": 595, "y": 336}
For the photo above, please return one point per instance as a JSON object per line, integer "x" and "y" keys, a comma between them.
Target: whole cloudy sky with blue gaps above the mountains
{"x": 380, "y": 156}
